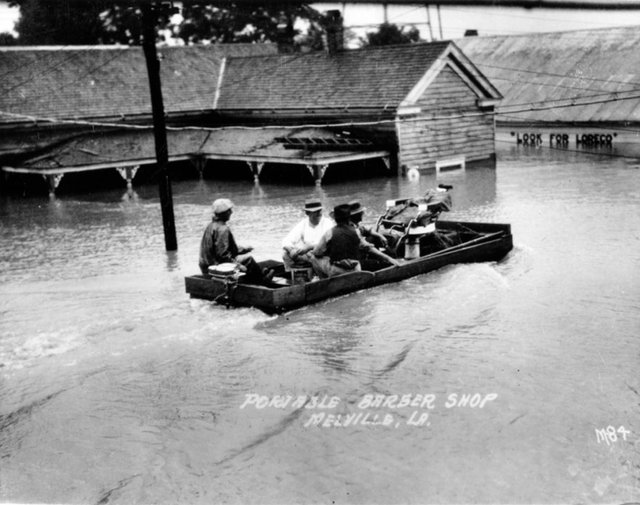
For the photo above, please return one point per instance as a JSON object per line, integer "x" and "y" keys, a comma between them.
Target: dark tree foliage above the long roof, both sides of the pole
{"x": 47, "y": 22}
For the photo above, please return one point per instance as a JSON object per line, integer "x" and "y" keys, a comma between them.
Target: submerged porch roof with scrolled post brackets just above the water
{"x": 314, "y": 149}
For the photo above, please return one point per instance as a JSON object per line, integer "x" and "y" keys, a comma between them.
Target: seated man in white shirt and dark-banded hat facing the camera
{"x": 304, "y": 236}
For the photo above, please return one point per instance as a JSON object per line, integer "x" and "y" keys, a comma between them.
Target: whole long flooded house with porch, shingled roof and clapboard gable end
{"x": 81, "y": 109}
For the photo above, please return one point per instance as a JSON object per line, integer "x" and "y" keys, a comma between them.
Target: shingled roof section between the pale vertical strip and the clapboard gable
{"x": 375, "y": 77}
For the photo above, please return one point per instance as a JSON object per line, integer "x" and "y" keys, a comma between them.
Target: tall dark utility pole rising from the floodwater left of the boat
{"x": 159, "y": 130}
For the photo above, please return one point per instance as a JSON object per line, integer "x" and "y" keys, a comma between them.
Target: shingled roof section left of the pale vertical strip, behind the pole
{"x": 109, "y": 81}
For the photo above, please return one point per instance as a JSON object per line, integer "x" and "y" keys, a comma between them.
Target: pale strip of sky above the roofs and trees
{"x": 452, "y": 21}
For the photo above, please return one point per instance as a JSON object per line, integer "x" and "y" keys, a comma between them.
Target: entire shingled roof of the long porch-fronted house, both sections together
{"x": 99, "y": 82}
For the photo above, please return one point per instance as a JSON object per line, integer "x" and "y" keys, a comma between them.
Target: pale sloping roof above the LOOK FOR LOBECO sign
{"x": 577, "y": 76}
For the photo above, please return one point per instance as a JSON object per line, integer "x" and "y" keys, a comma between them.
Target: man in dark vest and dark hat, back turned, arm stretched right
{"x": 340, "y": 248}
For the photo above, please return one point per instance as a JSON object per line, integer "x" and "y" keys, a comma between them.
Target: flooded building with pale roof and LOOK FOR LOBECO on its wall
{"x": 574, "y": 89}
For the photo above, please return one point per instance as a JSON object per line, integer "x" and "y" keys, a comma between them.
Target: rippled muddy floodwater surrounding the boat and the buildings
{"x": 115, "y": 387}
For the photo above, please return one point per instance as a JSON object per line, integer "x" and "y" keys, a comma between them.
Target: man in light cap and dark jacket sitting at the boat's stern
{"x": 219, "y": 246}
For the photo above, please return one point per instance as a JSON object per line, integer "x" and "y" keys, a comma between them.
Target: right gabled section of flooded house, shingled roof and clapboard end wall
{"x": 426, "y": 103}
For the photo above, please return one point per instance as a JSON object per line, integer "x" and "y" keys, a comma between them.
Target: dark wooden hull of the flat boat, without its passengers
{"x": 493, "y": 244}
